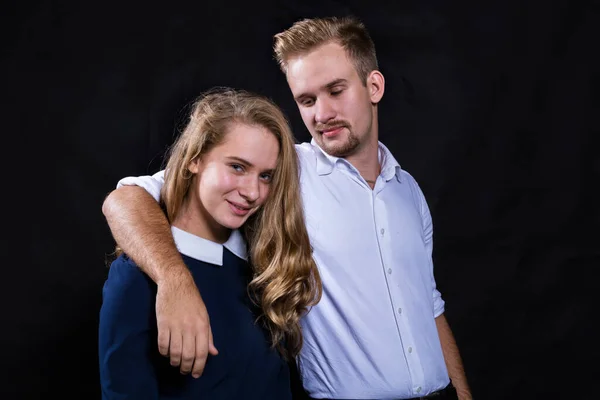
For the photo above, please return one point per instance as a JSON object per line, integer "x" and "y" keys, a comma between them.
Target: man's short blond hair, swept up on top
{"x": 308, "y": 34}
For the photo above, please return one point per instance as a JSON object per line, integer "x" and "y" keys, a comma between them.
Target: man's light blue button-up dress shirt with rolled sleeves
{"x": 373, "y": 334}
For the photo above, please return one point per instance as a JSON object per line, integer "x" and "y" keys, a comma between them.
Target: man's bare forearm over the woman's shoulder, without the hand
{"x": 141, "y": 229}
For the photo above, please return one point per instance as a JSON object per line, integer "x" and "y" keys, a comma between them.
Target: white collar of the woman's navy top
{"x": 204, "y": 250}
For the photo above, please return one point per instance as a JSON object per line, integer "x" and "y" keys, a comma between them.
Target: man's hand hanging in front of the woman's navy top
{"x": 184, "y": 333}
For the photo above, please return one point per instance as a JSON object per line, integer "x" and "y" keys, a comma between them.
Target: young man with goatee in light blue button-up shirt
{"x": 379, "y": 331}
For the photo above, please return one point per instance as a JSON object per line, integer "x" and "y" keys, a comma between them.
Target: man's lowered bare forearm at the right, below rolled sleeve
{"x": 452, "y": 357}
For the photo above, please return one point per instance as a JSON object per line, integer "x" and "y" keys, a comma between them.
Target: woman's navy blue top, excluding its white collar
{"x": 131, "y": 366}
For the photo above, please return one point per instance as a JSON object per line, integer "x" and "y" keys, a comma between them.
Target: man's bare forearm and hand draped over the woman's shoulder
{"x": 141, "y": 229}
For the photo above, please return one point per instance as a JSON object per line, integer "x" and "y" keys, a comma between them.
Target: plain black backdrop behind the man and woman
{"x": 492, "y": 106}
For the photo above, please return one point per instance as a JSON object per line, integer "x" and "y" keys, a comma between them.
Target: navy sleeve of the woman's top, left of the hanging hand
{"x": 126, "y": 340}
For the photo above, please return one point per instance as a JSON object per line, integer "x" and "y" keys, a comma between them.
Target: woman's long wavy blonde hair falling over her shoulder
{"x": 286, "y": 281}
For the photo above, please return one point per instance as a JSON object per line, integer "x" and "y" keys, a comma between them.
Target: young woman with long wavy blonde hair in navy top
{"x": 231, "y": 183}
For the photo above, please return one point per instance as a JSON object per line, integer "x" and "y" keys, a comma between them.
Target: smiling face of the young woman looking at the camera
{"x": 233, "y": 179}
